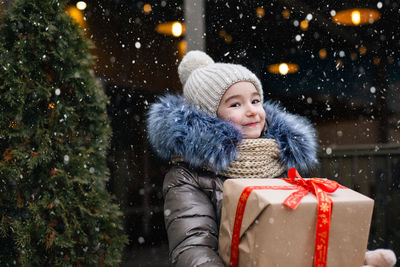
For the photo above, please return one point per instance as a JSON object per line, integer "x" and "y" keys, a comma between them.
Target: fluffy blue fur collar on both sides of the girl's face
{"x": 178, "y": 128}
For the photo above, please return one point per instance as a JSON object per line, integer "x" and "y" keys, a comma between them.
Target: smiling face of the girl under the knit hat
{"x": 241, "y": 104}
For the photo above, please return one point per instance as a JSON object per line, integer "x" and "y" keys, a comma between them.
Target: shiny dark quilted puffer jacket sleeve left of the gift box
{"x": 190, "y": 220}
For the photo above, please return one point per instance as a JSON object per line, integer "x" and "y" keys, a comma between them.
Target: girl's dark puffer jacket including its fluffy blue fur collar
{"x": 193, "y": 196}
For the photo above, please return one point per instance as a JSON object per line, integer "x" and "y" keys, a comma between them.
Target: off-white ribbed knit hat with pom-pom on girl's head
{"x": 205, "y": 82}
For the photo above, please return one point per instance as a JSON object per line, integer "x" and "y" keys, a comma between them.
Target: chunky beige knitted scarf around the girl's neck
{"x": 256, "y": 158}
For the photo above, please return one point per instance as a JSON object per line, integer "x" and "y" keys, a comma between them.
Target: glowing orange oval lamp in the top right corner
{"x": 357, "y": 16}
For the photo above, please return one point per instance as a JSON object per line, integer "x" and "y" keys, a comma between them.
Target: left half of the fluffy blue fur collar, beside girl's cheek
{"x": 176, "y": 128}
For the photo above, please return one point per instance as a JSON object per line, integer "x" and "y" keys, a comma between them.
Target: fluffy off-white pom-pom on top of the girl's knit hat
{"x": 193, "y": 60}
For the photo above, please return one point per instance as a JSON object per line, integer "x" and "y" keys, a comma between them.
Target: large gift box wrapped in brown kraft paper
{"x": 271, "y": 234}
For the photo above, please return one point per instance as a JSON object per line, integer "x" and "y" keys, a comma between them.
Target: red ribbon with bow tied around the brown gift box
{"x": 319, "y": 187}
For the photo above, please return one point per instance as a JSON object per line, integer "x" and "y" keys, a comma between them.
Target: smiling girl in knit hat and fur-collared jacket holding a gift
{"x": 219, "y": 129}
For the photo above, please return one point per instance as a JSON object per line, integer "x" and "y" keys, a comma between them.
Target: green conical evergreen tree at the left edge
{"x": 54, "y": 135}
